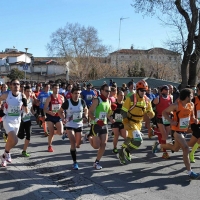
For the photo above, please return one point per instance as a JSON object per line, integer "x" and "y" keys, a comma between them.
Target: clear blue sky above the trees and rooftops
{"x": 29, "y": 23}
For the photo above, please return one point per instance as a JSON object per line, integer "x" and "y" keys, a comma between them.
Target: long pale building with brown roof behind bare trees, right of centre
{"x": 152, "y": 60}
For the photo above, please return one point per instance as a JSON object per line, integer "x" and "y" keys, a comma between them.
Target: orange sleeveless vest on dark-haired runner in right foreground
{"x": 182, "y": 116}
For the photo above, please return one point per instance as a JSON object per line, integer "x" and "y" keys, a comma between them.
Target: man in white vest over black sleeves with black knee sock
{"x": 76, "y": 113}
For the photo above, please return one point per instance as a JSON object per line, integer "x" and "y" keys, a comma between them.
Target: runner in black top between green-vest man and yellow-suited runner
{"x": 116, "y": 119}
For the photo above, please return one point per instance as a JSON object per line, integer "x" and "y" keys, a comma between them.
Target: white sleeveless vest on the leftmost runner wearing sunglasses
{"x": 13, "y": 108}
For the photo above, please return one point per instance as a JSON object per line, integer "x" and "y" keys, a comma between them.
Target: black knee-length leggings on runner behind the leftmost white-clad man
{"x": 25, "y": 129}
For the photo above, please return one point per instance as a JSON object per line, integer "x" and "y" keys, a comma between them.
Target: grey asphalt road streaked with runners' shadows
{"x": 47, "y": 175}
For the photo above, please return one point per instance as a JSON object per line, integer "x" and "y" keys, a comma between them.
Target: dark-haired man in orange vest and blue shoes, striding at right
{"x": 183, "y": 112}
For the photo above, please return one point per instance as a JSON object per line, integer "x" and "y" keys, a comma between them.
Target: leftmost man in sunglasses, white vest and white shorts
{"x": 12, "y": 118}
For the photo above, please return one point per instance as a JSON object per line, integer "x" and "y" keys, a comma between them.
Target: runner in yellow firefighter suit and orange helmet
{"x": 133, "y": 111}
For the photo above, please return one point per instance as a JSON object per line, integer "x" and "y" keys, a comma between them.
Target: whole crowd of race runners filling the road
{"x": 63, "y": 110}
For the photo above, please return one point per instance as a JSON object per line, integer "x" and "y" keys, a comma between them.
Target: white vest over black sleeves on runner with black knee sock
{"x": 74, "y": 115}
